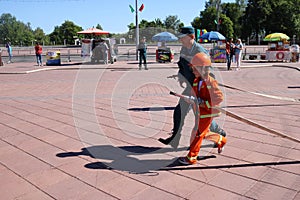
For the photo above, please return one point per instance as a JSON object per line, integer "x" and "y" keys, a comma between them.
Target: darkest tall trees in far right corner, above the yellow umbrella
{"x": 267, "y": 16}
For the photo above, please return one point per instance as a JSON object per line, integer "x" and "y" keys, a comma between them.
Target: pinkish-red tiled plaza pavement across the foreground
{"x": 80, "y": 131}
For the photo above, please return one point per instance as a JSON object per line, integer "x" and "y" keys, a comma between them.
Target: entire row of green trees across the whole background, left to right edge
{"x": 251, "y": 20}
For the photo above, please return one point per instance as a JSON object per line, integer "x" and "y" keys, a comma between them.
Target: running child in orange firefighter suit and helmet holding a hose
{"x": 209, "y": 96}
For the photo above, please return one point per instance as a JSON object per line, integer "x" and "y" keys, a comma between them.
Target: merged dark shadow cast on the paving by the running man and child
{"x": 133, "y": 159}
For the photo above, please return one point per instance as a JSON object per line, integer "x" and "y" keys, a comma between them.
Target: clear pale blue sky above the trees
{"x": 112, "y": 15}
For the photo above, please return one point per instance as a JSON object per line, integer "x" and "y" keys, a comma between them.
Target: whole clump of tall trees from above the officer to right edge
{"x": 252, "y": 20}
